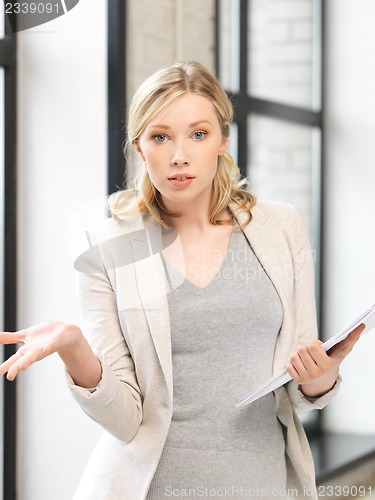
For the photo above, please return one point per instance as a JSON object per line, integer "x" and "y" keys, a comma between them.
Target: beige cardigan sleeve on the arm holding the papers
{"x": 304, "y": 308}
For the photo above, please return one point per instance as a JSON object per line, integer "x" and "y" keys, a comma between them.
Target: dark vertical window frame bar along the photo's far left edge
{"x": 8, "y": 60}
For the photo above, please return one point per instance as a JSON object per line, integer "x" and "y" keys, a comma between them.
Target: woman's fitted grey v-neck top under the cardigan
{"x": 223, "y": 341}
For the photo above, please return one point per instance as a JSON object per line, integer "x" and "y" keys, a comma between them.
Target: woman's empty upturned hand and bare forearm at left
{"x": 44, "y": 339}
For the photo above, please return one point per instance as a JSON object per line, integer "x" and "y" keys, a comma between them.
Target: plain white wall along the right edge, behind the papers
{"x": 350, "y": 193}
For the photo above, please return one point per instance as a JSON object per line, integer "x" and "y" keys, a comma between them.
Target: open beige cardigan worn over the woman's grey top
{"x": 124, "y": 303}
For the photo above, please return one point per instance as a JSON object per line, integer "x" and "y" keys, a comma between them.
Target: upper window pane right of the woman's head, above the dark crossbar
{"x": 284, "y": 51}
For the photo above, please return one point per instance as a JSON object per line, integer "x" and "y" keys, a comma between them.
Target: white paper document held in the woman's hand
{"x": 368, "y": 318}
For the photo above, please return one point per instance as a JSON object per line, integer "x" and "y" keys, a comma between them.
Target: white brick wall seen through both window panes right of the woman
{"x": 281, "y": 61}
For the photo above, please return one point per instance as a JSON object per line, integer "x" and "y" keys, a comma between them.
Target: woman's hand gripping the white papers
{"x": 316, "y": 370}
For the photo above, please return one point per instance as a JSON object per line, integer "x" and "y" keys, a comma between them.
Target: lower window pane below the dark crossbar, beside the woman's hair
{"x": 282, "y": 163}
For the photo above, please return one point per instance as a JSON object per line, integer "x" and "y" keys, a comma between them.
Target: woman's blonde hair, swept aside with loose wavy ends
{"x": 154, "y": 95}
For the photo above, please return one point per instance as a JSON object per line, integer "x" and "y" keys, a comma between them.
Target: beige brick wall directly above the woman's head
{"x": 160, "y": 33}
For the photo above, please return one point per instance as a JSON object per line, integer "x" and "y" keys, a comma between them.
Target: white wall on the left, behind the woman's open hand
{"x": 62, "y": 166}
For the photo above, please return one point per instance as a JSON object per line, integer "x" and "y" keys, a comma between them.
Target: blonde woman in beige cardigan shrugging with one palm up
{"x": 192, "y": 293}
